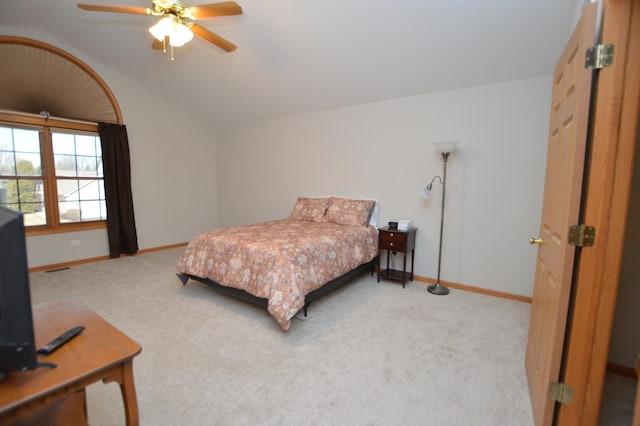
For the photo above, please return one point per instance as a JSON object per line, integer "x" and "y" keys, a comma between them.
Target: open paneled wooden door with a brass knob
{"x": 560, "y": 210}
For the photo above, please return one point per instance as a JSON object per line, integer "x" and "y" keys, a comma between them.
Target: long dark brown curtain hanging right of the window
{"x": 121, "y": 224}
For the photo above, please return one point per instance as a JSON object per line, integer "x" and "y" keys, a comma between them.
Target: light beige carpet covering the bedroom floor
{"x": 370, "y": 354}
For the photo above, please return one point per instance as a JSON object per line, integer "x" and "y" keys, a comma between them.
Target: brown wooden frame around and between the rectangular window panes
{"x": 49, "y": 178}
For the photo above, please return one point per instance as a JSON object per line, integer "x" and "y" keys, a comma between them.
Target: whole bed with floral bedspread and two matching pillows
{"x": 285, "y": 264}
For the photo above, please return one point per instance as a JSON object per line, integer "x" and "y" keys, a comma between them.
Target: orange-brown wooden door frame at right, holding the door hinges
{"x": 606, "y": 204}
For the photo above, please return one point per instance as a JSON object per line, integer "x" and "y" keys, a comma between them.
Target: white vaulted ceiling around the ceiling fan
{"x": 297, "y": 56}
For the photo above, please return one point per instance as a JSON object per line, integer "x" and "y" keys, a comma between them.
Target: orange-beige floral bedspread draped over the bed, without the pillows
{"x": 280, "y": 261}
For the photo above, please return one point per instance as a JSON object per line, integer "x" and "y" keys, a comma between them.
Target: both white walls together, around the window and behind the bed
{"x": 183, "y": 184}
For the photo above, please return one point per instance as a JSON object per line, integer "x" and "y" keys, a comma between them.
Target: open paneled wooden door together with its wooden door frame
{"x": 576, "y": 289}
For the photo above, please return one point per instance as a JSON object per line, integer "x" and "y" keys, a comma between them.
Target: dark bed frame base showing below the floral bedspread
{"x": 315, "y": 294}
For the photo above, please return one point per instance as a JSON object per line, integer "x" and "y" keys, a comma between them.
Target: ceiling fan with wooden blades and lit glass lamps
{"x": 178, "y": 21}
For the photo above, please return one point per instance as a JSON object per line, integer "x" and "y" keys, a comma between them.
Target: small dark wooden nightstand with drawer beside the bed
{"x": 394, "y": 241}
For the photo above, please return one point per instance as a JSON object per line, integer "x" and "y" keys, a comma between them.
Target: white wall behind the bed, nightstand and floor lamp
{"x": 384, "y": 151}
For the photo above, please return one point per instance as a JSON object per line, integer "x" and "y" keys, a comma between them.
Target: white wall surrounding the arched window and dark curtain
{"x": 173, "y": 172}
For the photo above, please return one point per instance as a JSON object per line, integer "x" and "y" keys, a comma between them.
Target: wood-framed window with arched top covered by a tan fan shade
{"x": 50, "y": 156}
